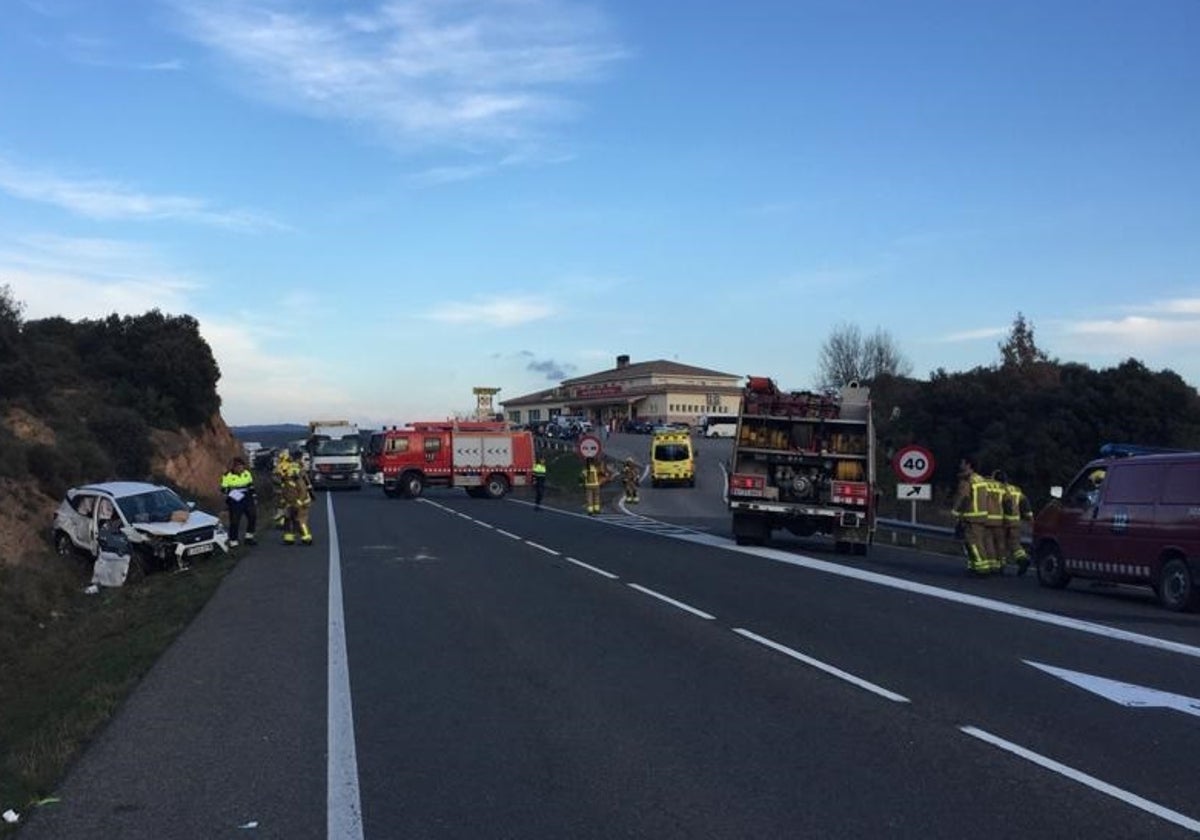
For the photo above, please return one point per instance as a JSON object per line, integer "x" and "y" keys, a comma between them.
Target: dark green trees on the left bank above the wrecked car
{"x": 100, "y": 387}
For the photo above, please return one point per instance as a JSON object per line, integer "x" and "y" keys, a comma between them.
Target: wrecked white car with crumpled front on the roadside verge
{"x": 163, "y": 530}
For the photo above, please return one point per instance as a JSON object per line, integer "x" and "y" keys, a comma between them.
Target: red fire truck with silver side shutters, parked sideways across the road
{"x": 487, "y": 459}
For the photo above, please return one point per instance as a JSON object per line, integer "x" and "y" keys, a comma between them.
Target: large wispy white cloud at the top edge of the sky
{"x": 422, "y": 73}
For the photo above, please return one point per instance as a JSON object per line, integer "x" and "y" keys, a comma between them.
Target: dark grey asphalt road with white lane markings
{"x": 484, "y": 670}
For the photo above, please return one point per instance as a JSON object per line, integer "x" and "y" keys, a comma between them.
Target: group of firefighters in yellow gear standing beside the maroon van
{"x": 991, "y": 513}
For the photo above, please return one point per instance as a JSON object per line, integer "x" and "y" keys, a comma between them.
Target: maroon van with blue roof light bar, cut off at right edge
{"x": 1127, "y": 520}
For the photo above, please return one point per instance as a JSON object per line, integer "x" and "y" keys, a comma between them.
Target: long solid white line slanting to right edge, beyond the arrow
{"x": 949, "y": 596}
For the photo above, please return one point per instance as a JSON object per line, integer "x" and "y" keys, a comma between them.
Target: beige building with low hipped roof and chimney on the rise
{"x": 653, "y": 392}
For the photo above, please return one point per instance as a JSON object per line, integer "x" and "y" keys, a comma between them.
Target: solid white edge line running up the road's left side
{"x": 343, "y": 803}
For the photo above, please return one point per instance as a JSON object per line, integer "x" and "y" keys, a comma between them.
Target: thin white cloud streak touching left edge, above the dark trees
{"x": 104, "y": 200}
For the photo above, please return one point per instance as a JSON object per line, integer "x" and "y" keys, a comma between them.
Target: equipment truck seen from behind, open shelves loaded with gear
{"x": 805, "y": 463}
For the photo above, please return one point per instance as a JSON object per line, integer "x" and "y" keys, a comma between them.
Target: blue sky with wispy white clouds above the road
{"x": 375, "y": 206}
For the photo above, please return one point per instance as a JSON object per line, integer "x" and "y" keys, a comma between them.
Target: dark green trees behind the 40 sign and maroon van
{"x": 1039, "y": 419}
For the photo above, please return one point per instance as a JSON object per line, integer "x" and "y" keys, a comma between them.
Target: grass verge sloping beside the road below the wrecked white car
{"x": 70, "y": 659}
